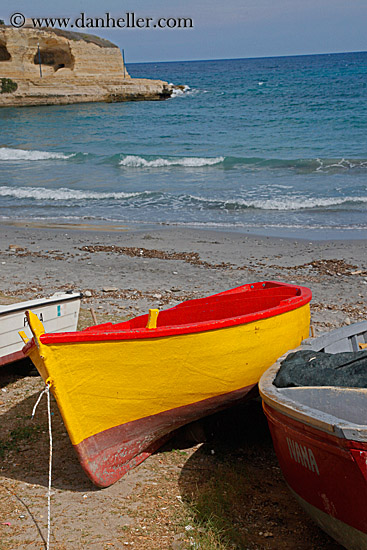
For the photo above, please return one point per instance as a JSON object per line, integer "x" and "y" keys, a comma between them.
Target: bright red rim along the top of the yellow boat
{"x": 107, "y": 332}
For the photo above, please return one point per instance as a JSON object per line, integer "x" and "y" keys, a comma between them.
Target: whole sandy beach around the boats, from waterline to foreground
{"x": 122, "y": 272}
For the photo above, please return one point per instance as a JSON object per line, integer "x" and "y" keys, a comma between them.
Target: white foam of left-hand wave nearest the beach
{"x": 61, "y": 194}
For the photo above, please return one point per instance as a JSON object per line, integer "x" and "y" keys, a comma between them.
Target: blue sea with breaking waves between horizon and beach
{"x": 274, "y": 146}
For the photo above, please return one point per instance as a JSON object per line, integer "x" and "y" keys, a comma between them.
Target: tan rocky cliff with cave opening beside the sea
{"x": 75, "y": 68}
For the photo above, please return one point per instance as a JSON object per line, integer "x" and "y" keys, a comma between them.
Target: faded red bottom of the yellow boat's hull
{"x": 108, "y": 455}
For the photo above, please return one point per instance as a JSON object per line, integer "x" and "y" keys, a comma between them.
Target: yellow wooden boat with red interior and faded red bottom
{"x": 123, "y": 388}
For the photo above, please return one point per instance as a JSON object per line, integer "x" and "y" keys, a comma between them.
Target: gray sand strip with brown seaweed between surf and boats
{"x": 129, "y": 271}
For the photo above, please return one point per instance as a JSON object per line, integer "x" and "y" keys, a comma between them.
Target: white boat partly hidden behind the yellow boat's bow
{"x": 58, "y": 313}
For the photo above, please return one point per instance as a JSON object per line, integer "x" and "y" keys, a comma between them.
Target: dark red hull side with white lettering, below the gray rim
{"x": 321, "y": 468}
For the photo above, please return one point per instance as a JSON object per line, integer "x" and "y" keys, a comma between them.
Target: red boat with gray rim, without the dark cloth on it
{"x": 320, "y": 438}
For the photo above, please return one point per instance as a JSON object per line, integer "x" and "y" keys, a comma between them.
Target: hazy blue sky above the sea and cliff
{"x": 221, "y": 29}
